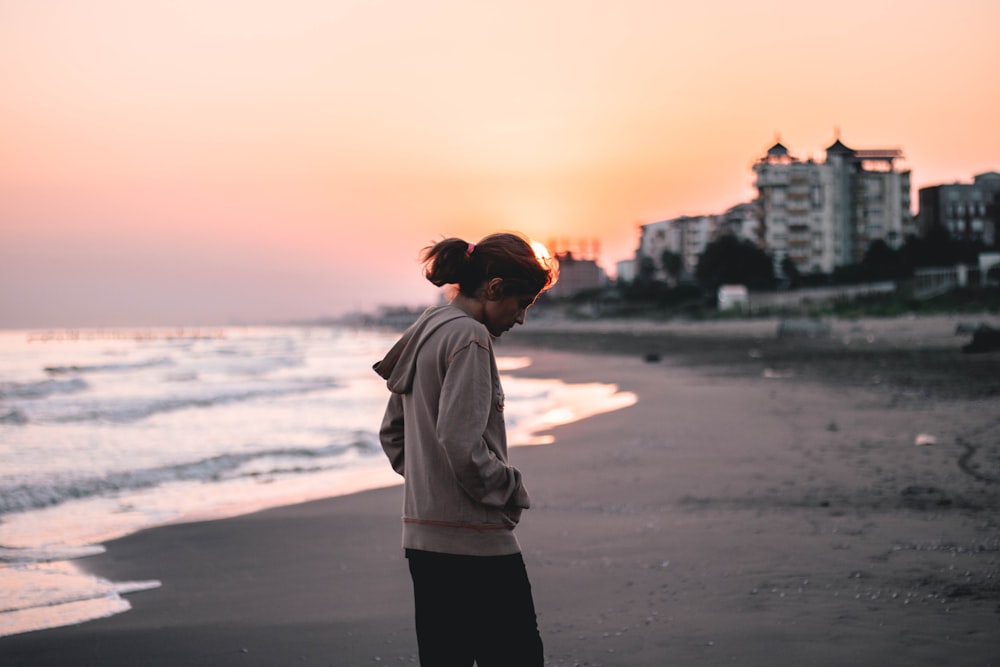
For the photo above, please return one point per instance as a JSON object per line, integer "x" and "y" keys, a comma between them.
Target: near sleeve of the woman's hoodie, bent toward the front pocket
{"x": 464, "y": 409}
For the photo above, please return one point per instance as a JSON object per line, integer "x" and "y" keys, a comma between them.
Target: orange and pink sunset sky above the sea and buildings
{"x": 205, "y": 162}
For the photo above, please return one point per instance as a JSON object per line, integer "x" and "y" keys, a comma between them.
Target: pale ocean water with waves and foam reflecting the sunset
{"x": 107, "y": 432}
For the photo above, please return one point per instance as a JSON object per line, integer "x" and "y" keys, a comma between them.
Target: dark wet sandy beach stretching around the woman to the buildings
{"x": 767, "y": 501}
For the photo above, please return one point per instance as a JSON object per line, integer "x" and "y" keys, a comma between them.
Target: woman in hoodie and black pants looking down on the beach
{"x": 444, "y": 431}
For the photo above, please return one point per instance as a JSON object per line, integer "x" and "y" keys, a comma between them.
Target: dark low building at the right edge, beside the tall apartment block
{"x": 968, "y": 211}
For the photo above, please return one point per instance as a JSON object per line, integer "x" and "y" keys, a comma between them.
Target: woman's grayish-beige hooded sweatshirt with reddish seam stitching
{"x": 444, "y": 431}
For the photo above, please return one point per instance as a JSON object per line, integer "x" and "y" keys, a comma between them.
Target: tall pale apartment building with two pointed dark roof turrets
{"x": 825, "y": 214}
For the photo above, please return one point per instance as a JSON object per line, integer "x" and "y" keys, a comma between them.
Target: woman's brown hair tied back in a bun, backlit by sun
{"x": 505, "y": 255}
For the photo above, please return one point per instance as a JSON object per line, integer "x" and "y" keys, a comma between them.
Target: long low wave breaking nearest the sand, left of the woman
{"x": 23, "y": 497}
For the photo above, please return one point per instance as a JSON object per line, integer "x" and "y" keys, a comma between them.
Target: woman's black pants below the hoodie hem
{"x": 474, "y": 609}
